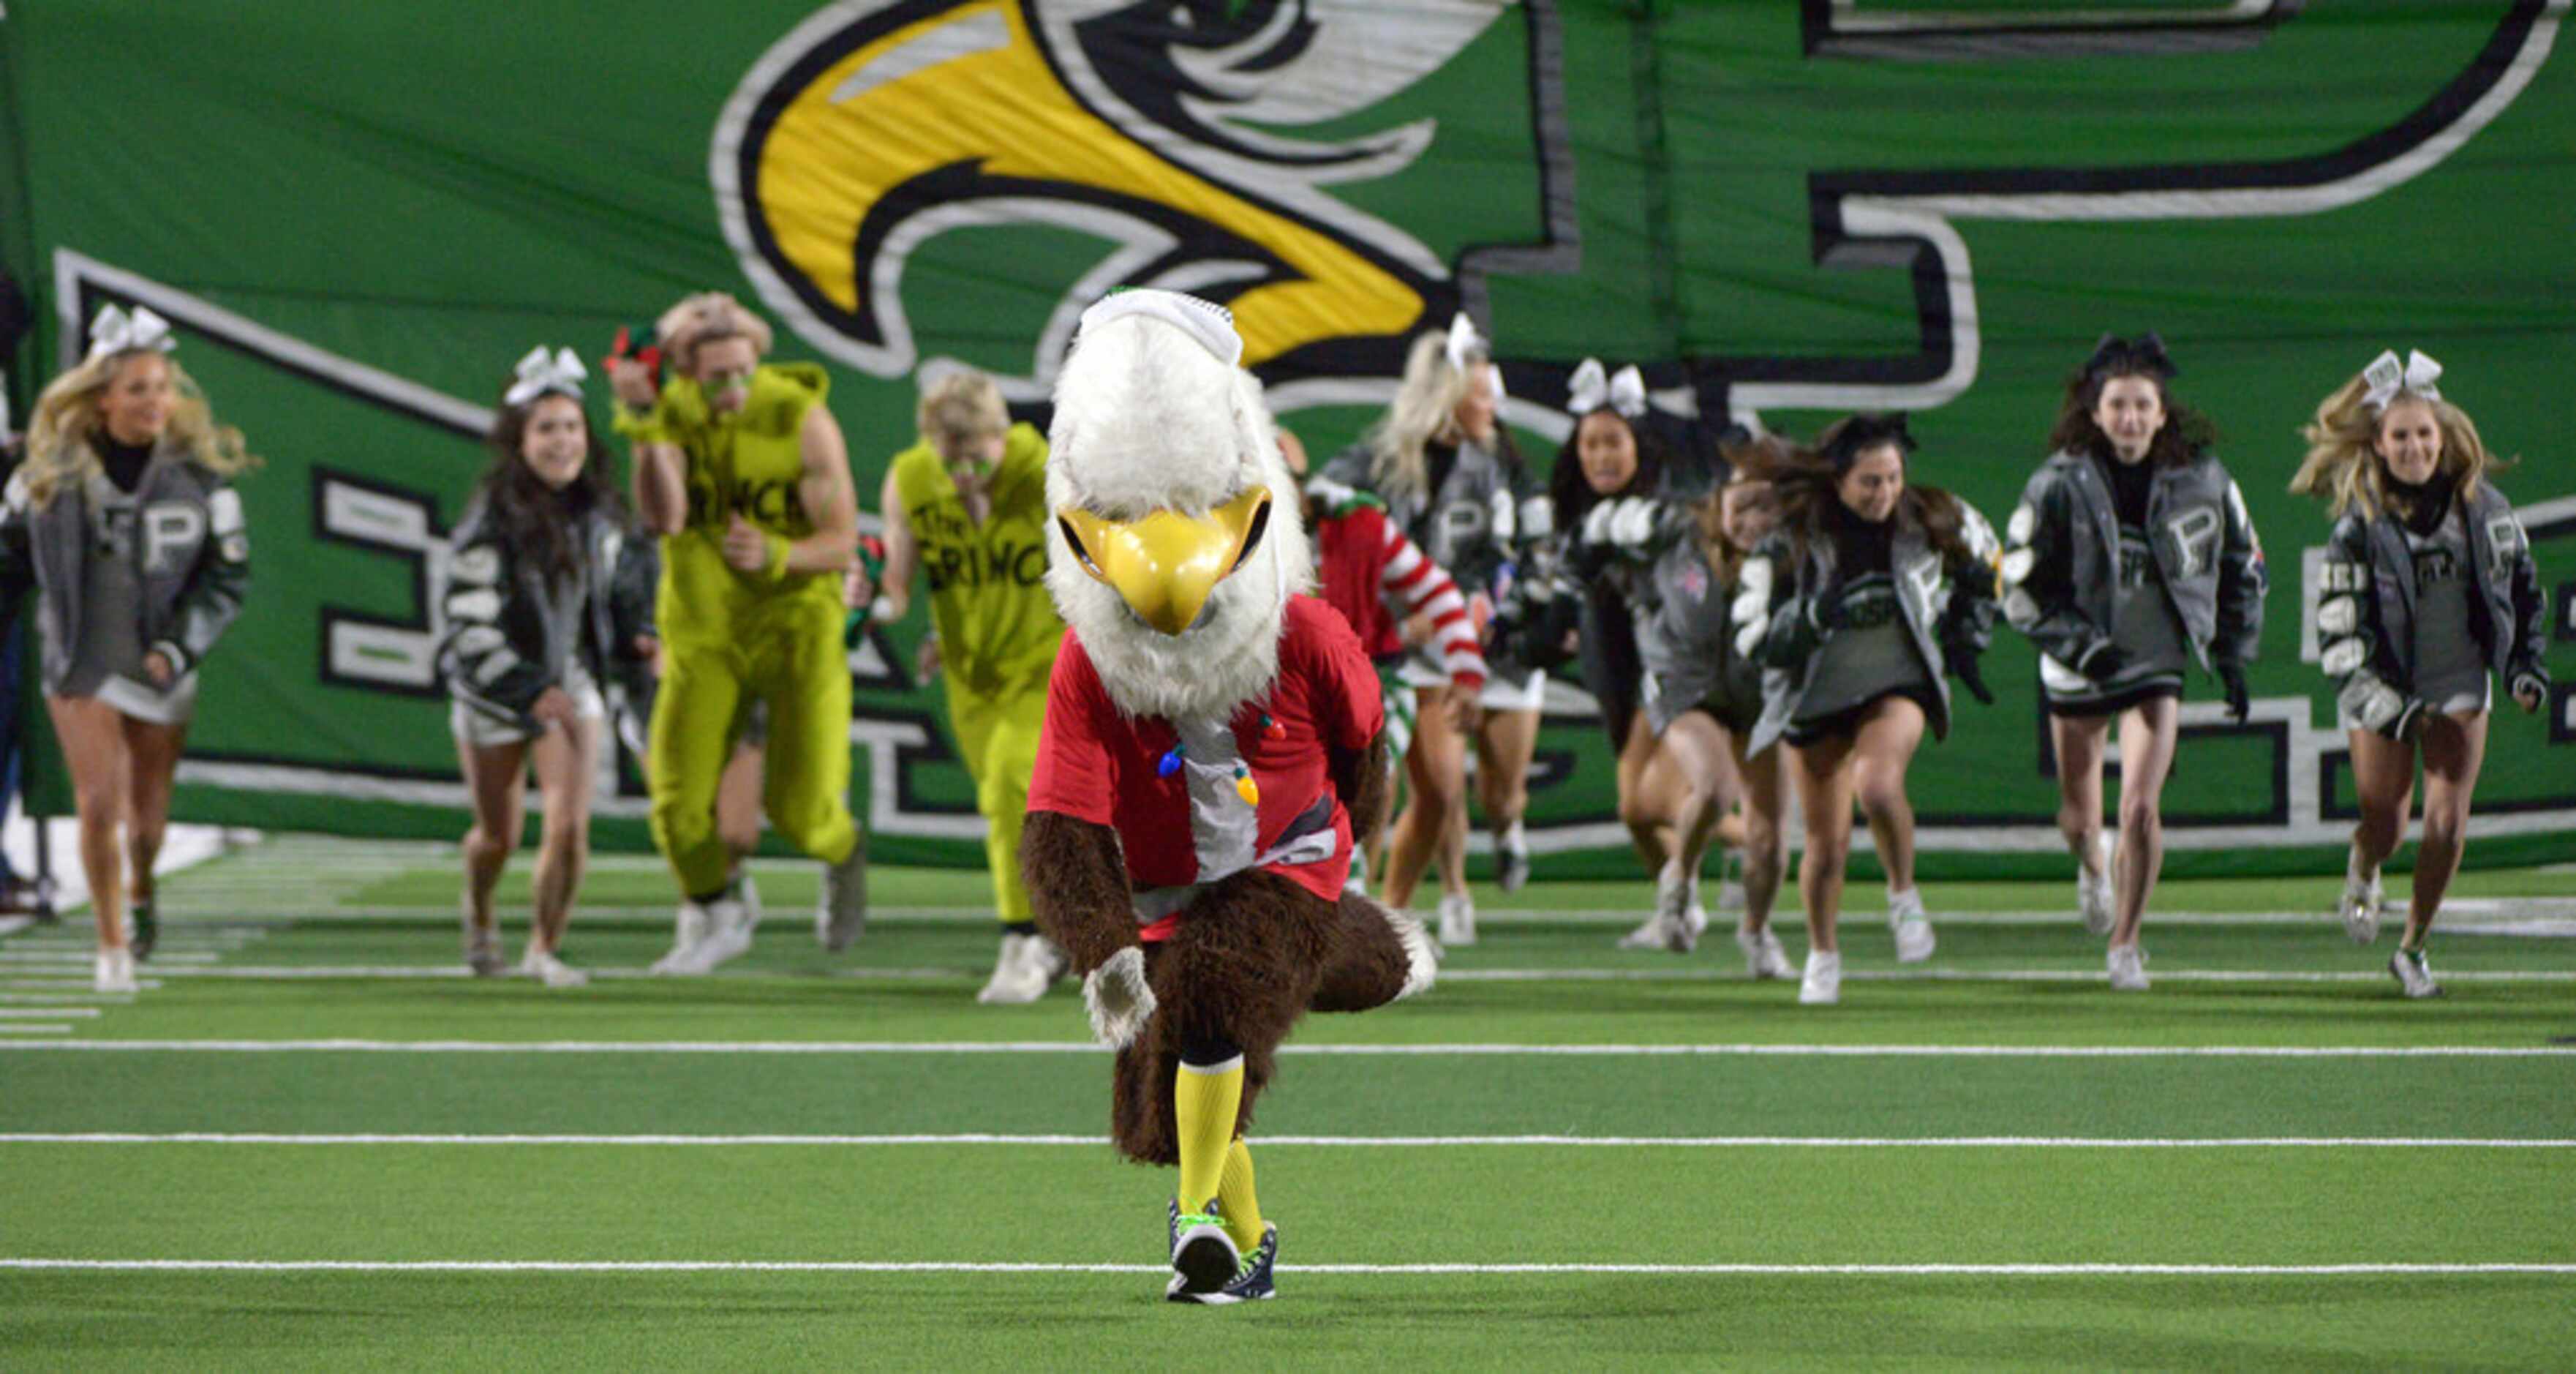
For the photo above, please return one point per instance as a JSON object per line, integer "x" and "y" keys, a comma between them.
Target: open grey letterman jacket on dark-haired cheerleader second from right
{"x": 2062, "y": 563}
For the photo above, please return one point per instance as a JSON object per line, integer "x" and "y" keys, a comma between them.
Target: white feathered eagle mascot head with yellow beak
{"x": 1179, "y": 530}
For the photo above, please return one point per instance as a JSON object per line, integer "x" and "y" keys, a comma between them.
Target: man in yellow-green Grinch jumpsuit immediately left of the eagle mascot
{"x": 967, "y": 504}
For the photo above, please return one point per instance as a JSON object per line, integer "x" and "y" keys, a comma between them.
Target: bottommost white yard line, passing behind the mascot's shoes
{"x": 1426, "y": 1270}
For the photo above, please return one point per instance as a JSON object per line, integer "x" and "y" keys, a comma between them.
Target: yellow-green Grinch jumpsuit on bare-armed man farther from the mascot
{"x": 738, "y": 638}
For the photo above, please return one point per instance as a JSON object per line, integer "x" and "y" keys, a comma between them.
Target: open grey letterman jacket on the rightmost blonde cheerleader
{"x": 2366, "y": 610}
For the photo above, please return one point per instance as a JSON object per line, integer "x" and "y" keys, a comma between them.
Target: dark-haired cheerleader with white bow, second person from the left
{"x": 529, "y": 638}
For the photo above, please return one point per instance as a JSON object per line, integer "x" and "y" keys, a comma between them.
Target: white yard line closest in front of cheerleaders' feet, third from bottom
{"x": 1361, "y": 1050}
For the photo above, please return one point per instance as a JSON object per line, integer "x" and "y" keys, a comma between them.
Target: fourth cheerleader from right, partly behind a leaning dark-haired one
{"x": 1701, "y": 702}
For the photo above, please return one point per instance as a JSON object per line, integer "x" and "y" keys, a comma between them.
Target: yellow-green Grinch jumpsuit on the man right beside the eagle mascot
{"x": 998, "y": 630}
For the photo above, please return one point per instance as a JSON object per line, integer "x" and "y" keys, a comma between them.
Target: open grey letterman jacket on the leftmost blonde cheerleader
{"x": 192, "y": 553}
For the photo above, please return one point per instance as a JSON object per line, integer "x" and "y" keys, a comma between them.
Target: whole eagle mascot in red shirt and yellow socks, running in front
{"x": 1215, "y": 741}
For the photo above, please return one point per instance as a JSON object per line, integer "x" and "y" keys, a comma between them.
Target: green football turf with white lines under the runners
{"x": 1555, "y": 1102}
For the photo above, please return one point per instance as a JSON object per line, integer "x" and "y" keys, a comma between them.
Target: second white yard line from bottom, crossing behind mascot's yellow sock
{"x": 1312, "y": 1141}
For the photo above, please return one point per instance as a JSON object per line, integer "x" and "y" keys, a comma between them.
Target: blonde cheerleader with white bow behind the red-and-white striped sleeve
{"x": 1454, "y": 486}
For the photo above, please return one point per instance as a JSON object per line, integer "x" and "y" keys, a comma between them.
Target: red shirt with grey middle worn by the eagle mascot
{"x": 1191, "y": 824}
